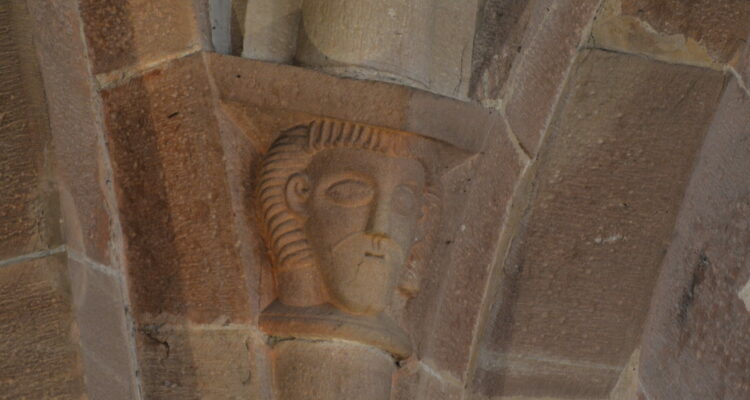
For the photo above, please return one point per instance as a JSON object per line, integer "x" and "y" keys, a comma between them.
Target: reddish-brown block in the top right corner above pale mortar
{"x": 703, "y": 32}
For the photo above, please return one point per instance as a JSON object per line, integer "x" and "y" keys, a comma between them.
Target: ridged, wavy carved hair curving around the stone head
{"x": 291, "y": 153}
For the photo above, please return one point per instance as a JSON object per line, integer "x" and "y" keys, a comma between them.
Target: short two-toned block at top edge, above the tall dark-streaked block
{"x": 127, "y": 33}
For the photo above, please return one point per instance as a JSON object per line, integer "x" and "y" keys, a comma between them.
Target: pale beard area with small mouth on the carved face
{"x": 360, "y": 272}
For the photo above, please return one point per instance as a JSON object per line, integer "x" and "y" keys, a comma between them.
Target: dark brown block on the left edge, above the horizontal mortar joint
{"x": 28, "y": 209}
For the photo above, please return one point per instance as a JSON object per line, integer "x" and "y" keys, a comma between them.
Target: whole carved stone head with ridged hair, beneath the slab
{"x": 342, "y": 203}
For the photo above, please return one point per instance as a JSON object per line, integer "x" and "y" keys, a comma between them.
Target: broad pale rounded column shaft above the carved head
{"x": 381, "y": 40}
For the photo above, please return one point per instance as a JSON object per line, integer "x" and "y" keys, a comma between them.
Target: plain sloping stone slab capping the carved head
{"x": 297, "y": 90}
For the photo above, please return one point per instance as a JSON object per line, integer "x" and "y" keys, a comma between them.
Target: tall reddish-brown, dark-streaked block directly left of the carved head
{"x": 172, "y": 193}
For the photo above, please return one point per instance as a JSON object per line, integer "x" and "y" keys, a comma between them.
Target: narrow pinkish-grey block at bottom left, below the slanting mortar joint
{"x": 104, "y": 334}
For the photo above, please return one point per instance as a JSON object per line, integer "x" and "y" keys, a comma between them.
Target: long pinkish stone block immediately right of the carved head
{"x": 445, "y": 314}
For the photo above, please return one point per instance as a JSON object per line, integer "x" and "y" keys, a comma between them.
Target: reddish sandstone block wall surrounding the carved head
{"x": 593, "y": 244}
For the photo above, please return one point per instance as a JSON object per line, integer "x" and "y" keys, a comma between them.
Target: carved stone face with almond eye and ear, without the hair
{"x": 360, "y": 209}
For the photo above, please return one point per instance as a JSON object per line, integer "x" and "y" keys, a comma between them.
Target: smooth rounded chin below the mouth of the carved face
{"x": 361, "y": 283}
